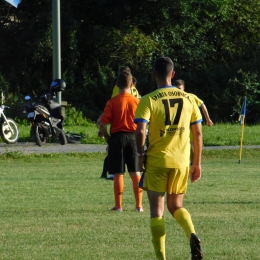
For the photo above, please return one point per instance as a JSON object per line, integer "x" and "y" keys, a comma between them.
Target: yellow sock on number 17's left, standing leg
{"x": 158, "y": 237}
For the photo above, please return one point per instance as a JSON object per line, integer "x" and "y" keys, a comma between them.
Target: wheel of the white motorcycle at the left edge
{"x": 10, "y": 136}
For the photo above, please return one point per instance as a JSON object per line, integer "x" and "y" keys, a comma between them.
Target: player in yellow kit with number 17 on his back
{"x": 171, "y": 114}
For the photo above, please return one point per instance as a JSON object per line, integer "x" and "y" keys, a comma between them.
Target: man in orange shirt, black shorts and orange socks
{"x": 119, "y": 113}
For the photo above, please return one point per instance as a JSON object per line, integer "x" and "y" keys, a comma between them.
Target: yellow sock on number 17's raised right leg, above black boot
{"x": 183, "y": 218}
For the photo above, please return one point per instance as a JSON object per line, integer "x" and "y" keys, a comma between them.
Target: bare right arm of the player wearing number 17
{"x": 195, "y": 171}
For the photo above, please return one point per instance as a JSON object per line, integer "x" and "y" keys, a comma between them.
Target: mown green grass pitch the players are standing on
{"x": 56, "y": 207}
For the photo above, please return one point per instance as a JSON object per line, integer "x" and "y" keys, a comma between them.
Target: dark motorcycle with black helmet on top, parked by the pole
{"x": 45, "y": 116}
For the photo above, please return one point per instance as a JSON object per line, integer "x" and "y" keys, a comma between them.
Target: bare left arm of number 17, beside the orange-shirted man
{"x": 140, "y": 136}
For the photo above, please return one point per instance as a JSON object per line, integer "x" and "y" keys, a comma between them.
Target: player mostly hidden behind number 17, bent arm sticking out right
{"x": 180, "y": 84}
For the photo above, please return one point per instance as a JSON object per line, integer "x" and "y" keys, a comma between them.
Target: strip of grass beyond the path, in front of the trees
{"x": 217, "y": 135}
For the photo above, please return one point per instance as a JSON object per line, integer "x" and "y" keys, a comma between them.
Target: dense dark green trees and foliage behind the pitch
{"x": 214, "y": 44}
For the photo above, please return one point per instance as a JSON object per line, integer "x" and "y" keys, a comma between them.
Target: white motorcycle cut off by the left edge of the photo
{"x": 8, "y": 128}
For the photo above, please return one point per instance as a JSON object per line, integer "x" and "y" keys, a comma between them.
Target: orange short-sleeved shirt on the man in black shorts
{"x": 120, "y": 113}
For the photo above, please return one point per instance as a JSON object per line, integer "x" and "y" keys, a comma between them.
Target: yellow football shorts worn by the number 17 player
{"x": 165, "y": 179}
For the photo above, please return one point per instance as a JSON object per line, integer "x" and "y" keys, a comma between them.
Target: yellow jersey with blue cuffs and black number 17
{"x": 169, "y": 112}
